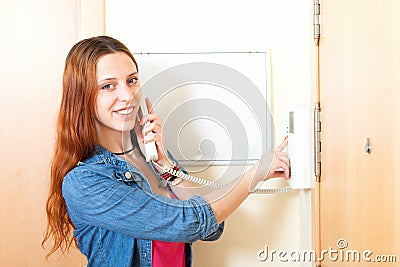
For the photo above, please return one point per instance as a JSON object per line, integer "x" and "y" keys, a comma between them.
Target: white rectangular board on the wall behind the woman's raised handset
{"x": 213, "y": 105}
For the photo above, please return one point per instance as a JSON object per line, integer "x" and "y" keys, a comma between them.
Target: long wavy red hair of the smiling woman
{"x": 76, "y": 135}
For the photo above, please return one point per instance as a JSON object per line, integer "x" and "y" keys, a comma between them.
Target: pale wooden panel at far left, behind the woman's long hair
{"x": 35, "y": 40}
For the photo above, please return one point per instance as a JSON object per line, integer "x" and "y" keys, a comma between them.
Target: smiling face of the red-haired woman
{"x": 118, "y": 94}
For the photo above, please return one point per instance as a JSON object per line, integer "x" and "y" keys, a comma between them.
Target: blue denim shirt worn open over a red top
{"x": 116, "y": 215}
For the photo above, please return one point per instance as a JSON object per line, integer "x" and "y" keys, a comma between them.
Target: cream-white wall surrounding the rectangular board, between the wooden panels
{"x": 284, "y": 29}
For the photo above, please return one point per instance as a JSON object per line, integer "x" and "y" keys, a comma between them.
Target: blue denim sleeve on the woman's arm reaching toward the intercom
{"x": 97, "y": 200}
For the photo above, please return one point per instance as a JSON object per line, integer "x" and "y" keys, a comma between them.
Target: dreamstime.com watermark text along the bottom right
{"x": 341, "y": 253}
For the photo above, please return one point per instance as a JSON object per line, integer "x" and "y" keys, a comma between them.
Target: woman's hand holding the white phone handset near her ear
{"x": 152, "y": 130}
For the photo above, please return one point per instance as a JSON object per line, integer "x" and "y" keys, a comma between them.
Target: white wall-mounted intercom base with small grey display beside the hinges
{"x": 300, "y": 147}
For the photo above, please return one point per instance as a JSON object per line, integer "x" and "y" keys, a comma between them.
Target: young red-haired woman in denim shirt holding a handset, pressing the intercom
{"x": 120, "y": 208}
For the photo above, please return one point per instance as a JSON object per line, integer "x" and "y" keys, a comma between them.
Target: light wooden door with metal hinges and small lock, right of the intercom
{"x": 360, "y": 99}
